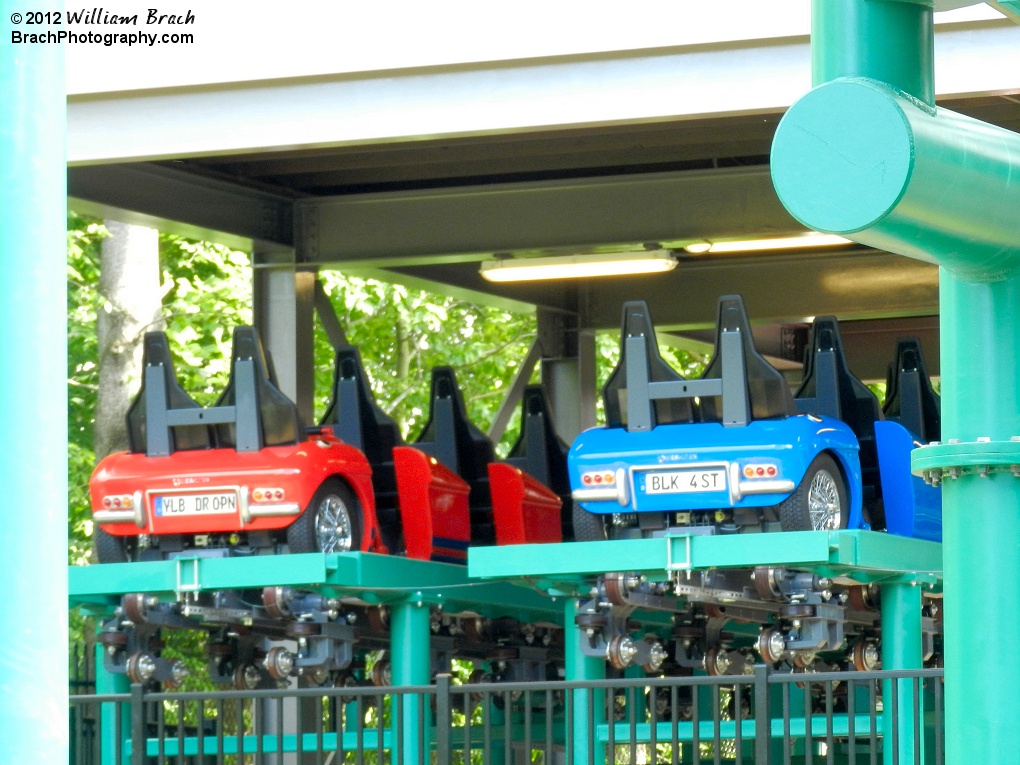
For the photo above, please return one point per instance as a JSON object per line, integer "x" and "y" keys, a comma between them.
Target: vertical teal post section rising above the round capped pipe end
{"x": 892, "y": 42}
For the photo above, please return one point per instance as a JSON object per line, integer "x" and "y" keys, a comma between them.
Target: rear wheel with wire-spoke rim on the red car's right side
{"x": 331, "y": 524}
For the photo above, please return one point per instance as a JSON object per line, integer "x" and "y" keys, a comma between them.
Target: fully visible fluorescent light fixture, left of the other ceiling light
{"x": 579, "y": 267}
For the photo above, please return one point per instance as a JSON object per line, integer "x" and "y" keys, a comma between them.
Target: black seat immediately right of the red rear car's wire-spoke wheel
{"x": 356, "y": 420}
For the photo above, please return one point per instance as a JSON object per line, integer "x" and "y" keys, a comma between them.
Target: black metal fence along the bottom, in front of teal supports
{"x": 767, "y": 719}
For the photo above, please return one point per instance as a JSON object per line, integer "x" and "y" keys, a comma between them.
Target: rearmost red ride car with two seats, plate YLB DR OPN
{"x": 237, "y": 479}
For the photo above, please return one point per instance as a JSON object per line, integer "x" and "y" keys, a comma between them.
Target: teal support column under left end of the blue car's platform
{"x": 582, "y": 668}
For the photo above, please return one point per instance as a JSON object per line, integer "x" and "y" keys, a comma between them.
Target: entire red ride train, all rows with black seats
{"x": 245, "y": 477}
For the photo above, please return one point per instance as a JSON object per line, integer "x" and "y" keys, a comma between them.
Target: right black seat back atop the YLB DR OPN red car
{"x": 264, "y": 415}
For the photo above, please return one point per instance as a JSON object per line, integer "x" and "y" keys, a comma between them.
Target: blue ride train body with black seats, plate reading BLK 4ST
{"x": 741, "y": 443}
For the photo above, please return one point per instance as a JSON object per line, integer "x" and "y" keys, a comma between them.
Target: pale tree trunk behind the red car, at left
{"x": 129, "y": 284}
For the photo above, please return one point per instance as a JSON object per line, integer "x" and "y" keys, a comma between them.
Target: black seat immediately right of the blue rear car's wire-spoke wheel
{"x": 830, "y": 389}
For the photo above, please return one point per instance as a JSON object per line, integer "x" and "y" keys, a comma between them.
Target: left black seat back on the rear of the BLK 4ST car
{"x": 638, "y": 324}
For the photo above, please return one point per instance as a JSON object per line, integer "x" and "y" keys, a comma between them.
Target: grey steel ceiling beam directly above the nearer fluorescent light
{"x": 387, "y": 231}
